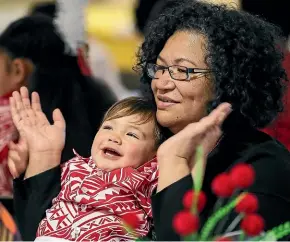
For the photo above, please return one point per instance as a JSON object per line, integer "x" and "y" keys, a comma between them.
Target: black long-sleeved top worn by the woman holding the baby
{"x": 269, "y": 158}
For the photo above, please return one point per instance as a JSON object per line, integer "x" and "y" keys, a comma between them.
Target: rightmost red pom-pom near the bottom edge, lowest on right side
{"x": 252, "y": 224}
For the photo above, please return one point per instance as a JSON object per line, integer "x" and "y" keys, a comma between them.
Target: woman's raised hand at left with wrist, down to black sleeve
{"x": 45, "y": 141}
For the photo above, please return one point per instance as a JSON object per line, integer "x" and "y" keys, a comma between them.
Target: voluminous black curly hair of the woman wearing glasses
{"x": 242, "y": 52}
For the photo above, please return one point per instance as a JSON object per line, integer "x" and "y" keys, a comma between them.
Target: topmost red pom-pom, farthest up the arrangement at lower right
{"x": 242, "y": 175}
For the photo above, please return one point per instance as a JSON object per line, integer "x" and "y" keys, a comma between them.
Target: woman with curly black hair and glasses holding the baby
{"x": 196, "y": 56}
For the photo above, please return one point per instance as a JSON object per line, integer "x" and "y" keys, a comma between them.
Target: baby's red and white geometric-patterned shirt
{"x": 91, "y": 202}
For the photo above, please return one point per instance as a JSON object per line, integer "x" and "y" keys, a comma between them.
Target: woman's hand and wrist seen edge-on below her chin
{"x": 176, "y": 155}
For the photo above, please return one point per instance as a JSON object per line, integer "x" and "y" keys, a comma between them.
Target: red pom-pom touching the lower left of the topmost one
{"x": 222, "y": 186}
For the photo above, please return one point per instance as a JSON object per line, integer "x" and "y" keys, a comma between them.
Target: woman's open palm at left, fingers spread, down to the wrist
{"x": 32, "y": 124}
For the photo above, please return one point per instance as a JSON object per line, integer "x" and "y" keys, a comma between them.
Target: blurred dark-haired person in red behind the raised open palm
{"x": 34, "y": 52}
